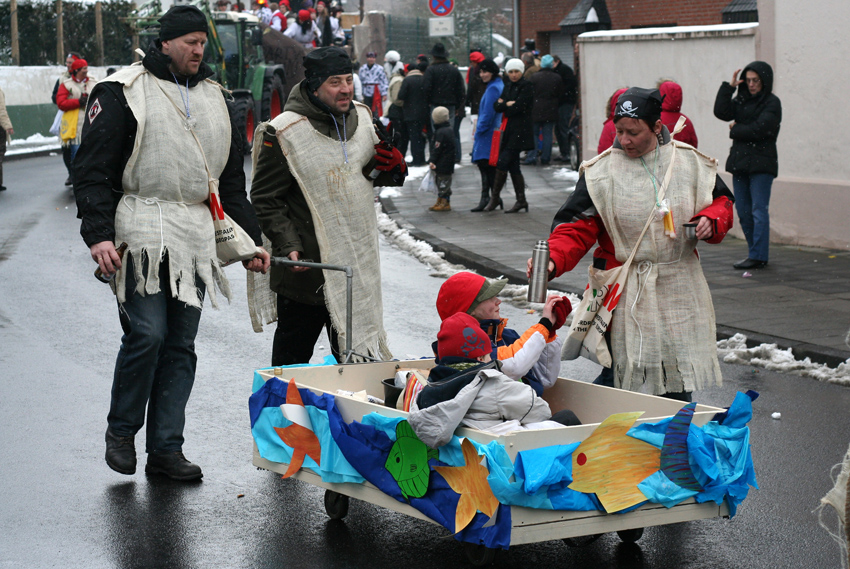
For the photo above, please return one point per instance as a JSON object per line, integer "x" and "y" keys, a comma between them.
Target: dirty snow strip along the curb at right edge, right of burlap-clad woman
{"x": 770, "y": 357}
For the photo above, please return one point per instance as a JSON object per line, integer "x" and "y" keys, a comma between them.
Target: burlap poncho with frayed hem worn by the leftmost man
{"x": 164, "y": 209}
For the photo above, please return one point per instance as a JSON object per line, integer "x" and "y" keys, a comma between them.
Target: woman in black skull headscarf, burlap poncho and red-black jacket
{"x": 662, "y": 337}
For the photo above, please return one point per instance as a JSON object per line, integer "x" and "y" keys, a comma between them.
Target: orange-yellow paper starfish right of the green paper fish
{"x": 470, "y": 481}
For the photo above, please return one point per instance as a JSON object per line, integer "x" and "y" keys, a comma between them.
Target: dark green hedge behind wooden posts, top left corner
{"x": 37, "y": 32}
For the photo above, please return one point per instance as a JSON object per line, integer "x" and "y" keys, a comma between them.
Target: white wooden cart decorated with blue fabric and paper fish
{"x": 530, "y": 507}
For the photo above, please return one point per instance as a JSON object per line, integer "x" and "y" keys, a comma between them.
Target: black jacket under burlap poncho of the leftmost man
{"x": 107, "y": 144}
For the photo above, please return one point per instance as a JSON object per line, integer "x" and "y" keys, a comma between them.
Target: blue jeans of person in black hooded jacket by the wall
{"x": 752, "y": 198}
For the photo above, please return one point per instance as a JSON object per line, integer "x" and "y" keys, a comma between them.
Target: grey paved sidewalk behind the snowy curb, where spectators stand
{"x": 801, "y": 300}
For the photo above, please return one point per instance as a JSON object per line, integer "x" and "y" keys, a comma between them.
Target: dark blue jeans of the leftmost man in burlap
{"x": 156, "y": 364}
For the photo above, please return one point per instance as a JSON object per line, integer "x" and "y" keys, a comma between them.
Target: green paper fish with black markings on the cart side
{"x": 408, "y": 462}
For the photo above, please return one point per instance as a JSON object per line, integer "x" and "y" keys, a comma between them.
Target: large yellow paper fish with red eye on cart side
{"x": 611, "y": 463}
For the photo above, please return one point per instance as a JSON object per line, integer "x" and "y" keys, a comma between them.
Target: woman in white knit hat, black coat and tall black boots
{"x": 515, "y": 103}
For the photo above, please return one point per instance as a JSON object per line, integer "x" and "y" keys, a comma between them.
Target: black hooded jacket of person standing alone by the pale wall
{"x": 756, "y": 128}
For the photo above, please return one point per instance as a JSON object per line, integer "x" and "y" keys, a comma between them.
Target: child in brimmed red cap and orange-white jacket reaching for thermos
{"x": 534, "y": 357}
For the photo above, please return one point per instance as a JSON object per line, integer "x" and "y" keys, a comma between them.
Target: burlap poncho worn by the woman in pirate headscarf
{"x": 663, "y": 336}
